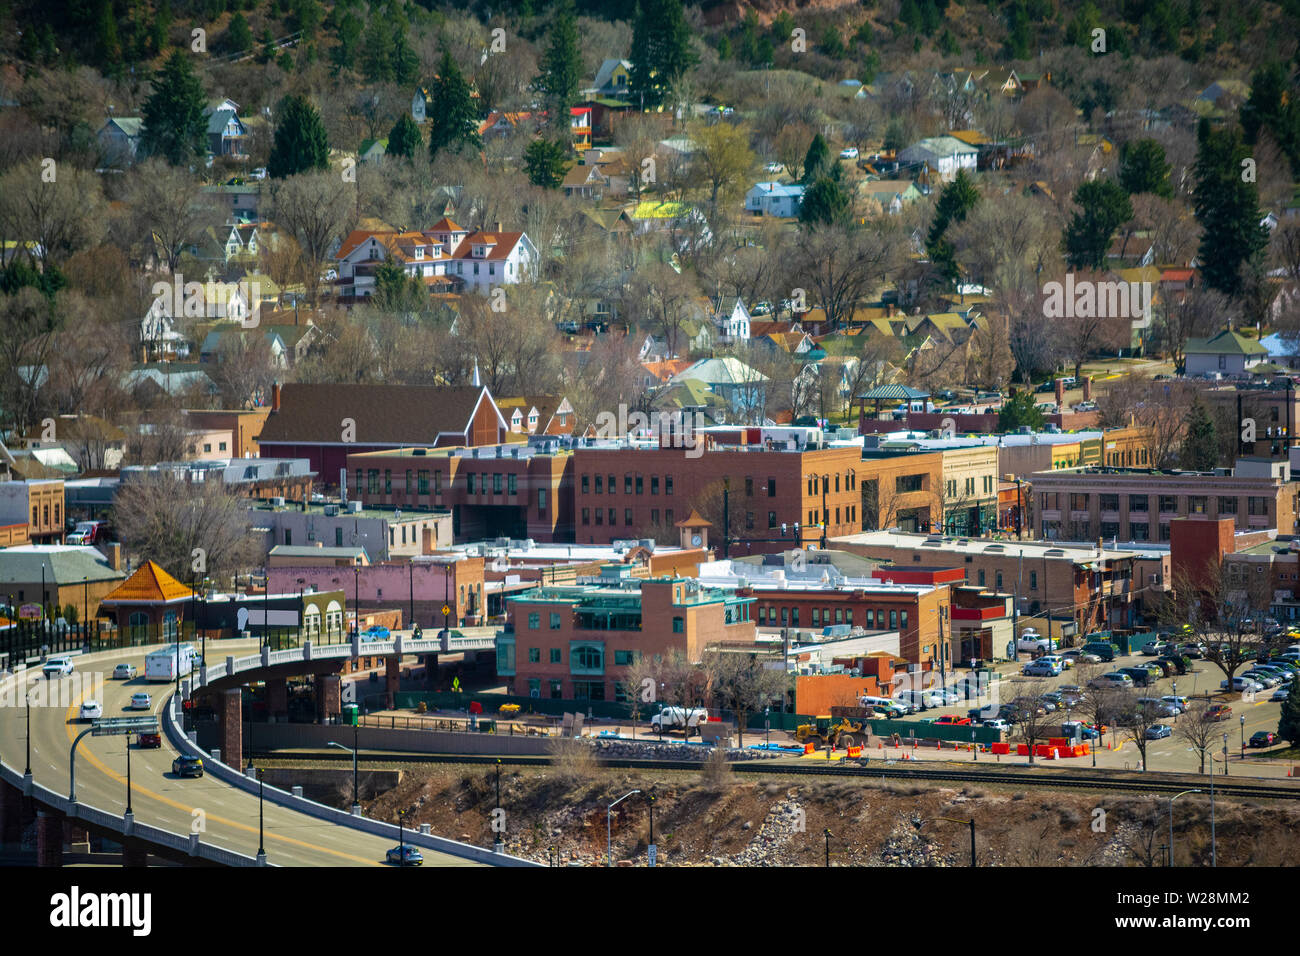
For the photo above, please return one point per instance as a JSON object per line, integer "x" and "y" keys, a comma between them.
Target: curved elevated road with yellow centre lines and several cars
{"x": 229, "y": 816}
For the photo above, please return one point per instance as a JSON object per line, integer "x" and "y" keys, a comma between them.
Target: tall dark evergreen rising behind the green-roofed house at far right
{"x": 1228, "y": 207}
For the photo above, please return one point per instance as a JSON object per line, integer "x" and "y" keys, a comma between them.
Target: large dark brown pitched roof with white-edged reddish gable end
{"x": 328, "y": 423}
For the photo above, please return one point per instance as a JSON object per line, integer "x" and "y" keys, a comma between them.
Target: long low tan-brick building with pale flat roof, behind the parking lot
{"x": 1093, "y": 587}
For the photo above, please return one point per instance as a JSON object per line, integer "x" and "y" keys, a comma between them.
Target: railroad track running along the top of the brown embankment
{"x": 1020, "y": 778}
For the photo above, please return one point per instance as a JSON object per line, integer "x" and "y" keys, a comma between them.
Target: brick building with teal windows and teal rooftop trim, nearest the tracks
{"x": 577, "y": 642}
